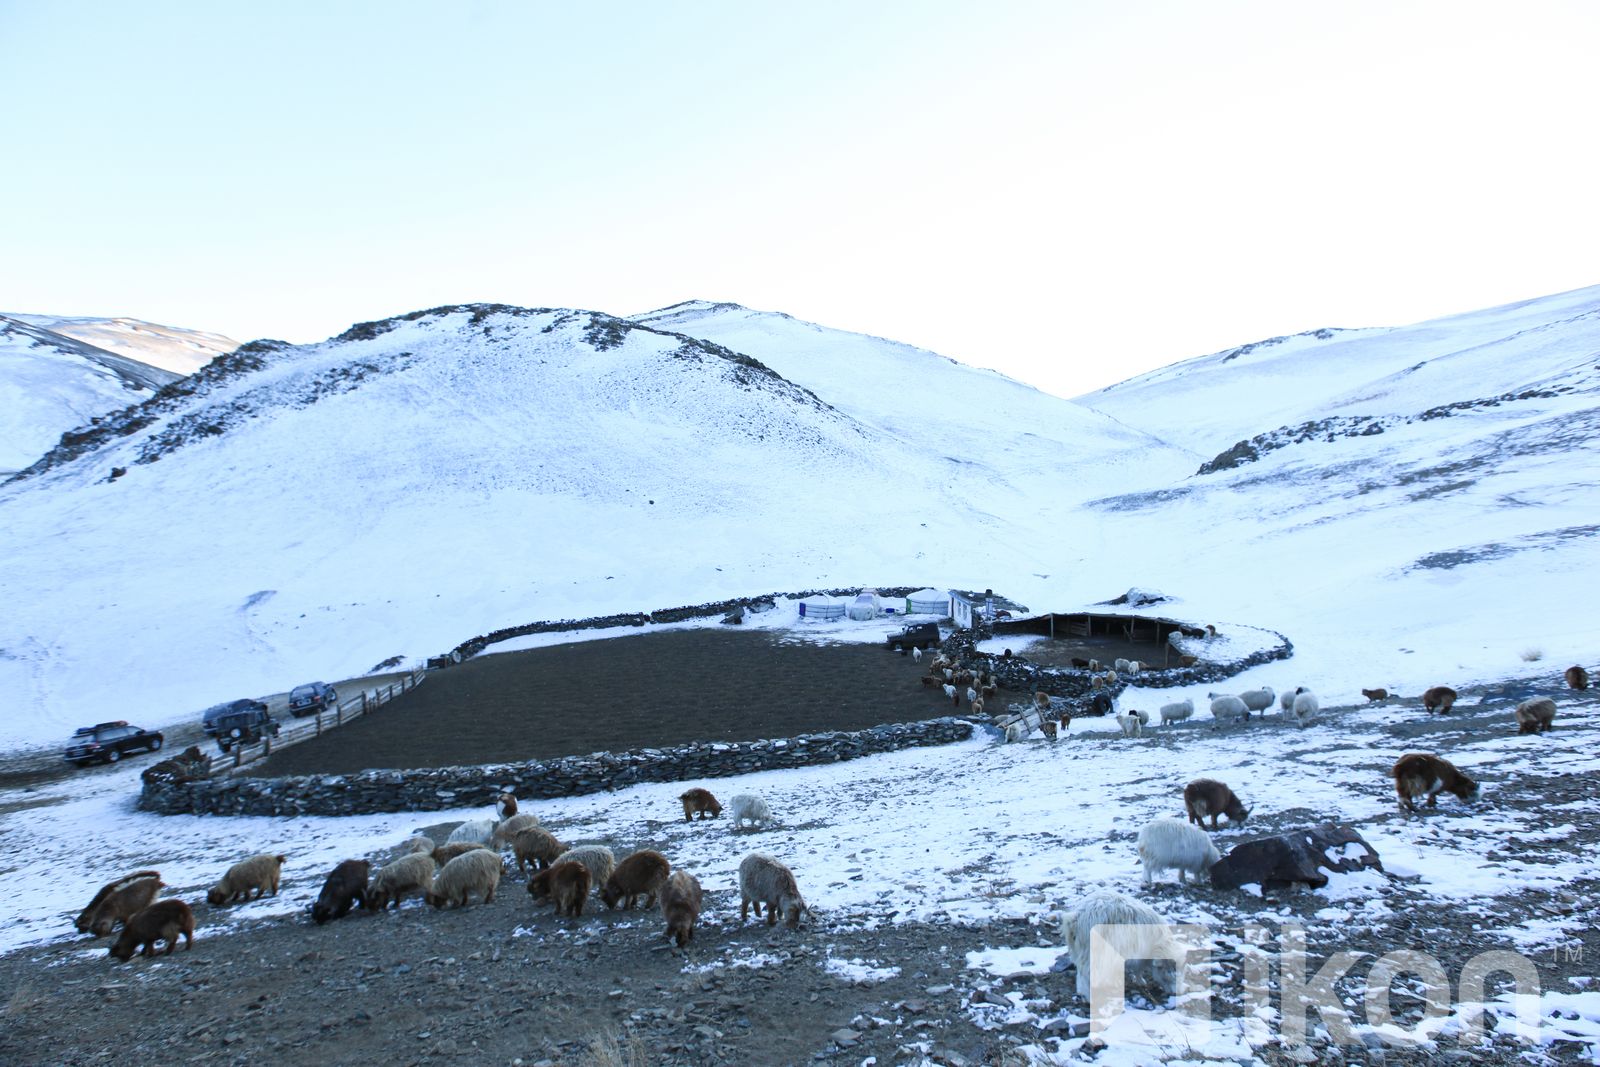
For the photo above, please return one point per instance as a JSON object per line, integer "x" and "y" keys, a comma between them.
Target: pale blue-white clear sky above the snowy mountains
{"x": 1071, "y": 193}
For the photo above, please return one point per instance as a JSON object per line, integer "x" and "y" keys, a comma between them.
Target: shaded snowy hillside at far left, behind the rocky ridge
{"x": 52, "y": 383}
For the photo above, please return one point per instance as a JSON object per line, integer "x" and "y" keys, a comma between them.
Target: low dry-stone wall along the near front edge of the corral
{"x": 476, "y": 786}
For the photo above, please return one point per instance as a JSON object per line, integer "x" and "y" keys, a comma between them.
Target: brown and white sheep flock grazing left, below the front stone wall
{"x": 470, "y": 865}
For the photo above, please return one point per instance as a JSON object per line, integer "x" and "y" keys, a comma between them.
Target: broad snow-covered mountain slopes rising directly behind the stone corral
{"x": 297, "y": 513}
